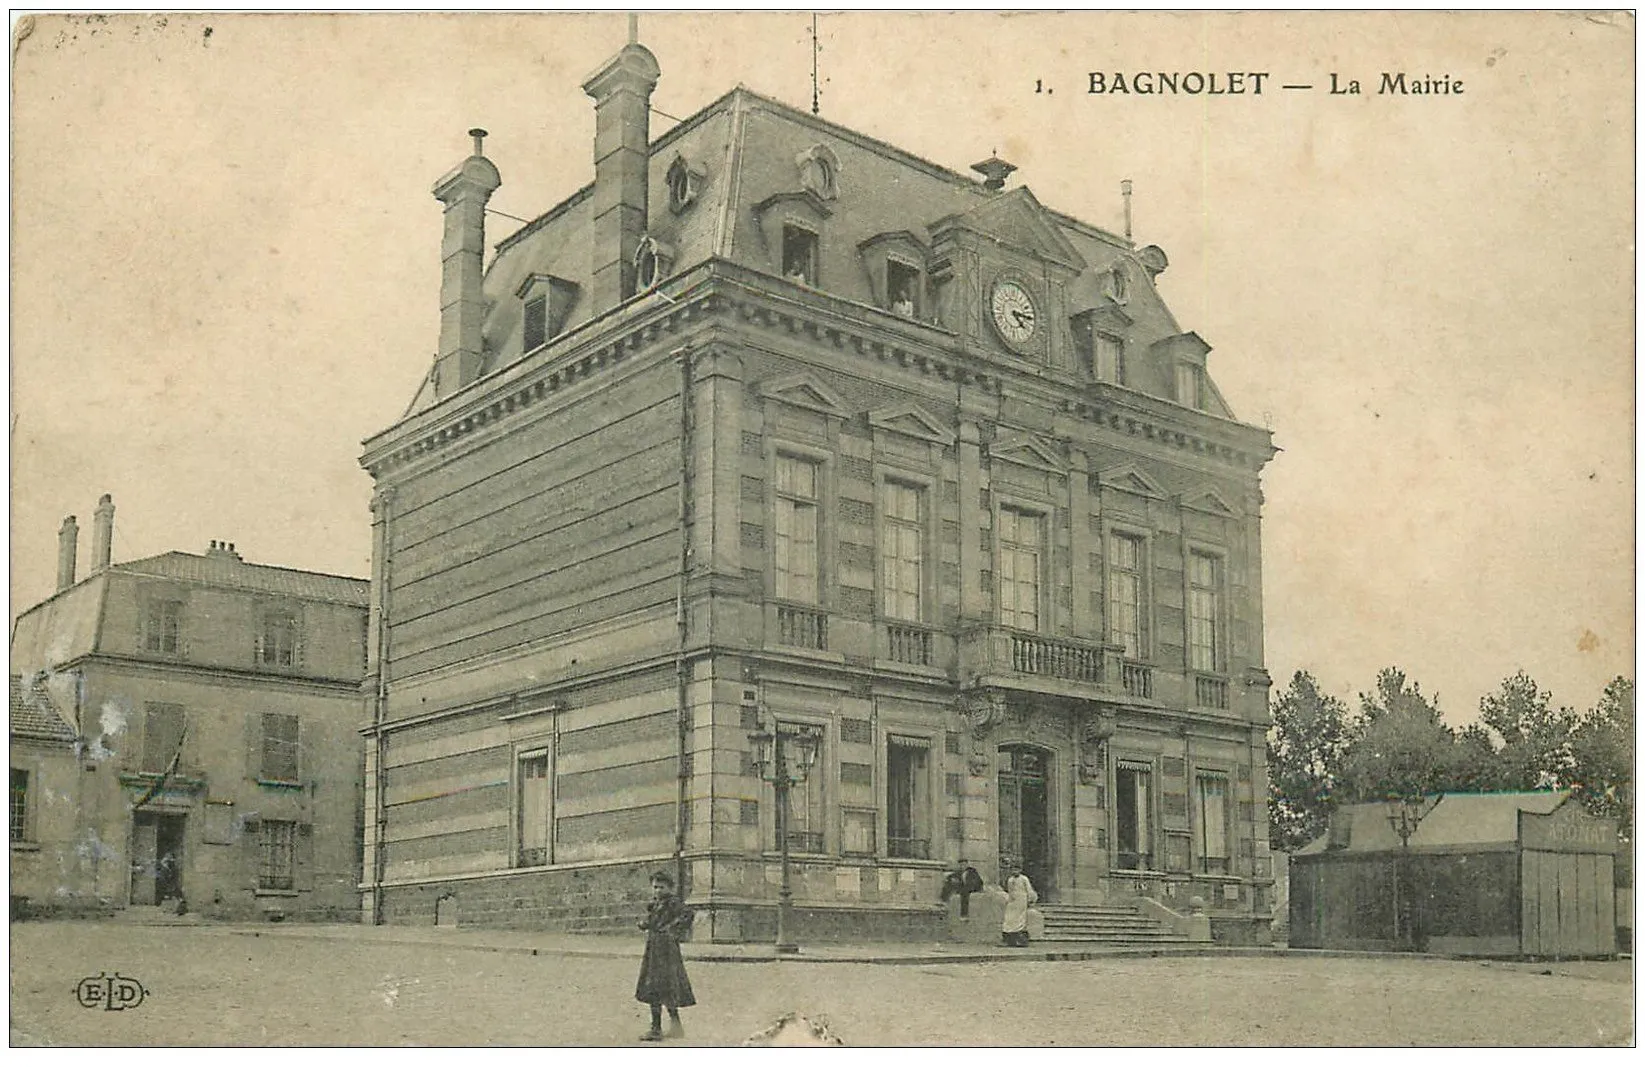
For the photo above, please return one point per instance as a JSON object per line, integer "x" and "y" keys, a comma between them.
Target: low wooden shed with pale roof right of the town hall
{"x": 1488, "y": 874}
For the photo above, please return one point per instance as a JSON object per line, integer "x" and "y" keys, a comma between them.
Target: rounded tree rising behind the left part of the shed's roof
{"x": 1401, "y": 746}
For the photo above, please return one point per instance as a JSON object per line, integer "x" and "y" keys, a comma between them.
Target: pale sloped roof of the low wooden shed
{"x": 1452, "y": 821}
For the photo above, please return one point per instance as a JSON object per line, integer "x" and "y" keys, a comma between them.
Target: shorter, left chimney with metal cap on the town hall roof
{"x": 465, "y": 193}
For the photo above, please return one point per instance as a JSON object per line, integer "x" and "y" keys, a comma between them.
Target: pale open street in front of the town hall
{"x": 354, "y": 986}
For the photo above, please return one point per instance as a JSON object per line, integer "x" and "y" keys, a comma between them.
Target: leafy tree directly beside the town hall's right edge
{"x": 1307, "y": 744}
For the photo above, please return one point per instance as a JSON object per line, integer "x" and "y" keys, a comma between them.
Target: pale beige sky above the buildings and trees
{"x": 226, "y": 274}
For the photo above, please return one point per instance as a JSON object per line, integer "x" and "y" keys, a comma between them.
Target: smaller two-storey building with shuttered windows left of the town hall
{"x": 208, "y": 747}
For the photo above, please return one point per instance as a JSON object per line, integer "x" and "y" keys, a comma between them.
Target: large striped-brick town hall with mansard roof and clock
{"x": 776, "y": 422}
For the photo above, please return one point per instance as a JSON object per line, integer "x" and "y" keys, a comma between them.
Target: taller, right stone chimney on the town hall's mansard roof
{"x": 623, "y": 157}
